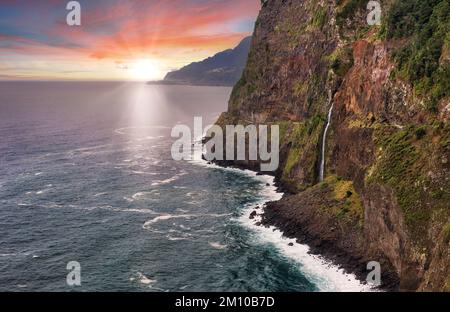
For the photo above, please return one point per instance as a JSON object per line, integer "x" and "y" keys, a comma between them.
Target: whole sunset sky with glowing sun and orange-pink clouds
{"x": 117, "y": 39}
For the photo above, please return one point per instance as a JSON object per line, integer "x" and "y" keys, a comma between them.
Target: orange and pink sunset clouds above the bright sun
{"x": 174, "y": 32}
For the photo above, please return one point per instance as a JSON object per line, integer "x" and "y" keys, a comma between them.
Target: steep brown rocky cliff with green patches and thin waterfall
{"x": 386, "y": 195}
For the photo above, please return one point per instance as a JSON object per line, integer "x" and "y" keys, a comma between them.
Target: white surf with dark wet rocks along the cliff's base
{"x": 329, "y": 269}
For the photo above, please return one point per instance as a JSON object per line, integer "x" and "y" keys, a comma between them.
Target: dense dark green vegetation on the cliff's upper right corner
{"x": 422, "y": 61}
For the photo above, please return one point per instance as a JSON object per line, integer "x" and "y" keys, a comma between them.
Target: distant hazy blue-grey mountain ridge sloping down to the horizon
{"x": 223, "y": 69}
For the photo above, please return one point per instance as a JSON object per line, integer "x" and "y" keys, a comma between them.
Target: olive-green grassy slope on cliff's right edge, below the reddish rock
{"x": 414, "y": 163}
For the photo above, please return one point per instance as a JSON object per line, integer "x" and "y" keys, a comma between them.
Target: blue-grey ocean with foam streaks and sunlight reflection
{"x": 86, "y": 175}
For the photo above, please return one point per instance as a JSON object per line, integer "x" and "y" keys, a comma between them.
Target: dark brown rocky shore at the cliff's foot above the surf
{"x": 335, "y": 242}
